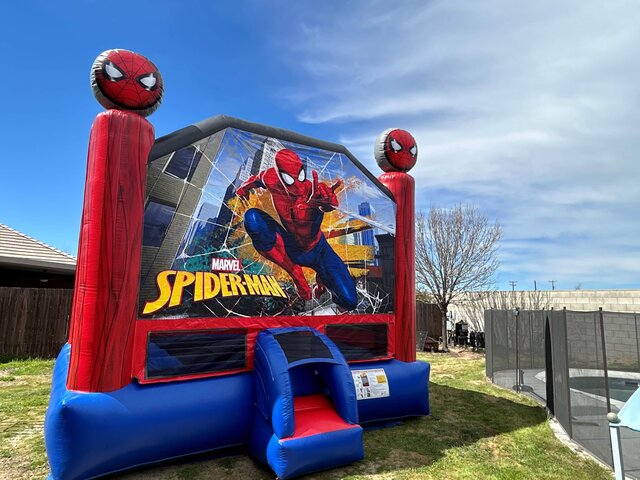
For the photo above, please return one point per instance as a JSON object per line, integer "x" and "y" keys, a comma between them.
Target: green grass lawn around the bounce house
{"x": 476, "y": 430}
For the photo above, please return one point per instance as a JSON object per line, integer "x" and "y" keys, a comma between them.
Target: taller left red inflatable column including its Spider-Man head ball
{"x": 106, "y": 290}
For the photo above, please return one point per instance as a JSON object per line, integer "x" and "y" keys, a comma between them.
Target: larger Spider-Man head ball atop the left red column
{"x": 126, "y": 80}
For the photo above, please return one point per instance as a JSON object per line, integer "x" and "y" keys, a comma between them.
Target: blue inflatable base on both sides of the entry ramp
{"x": 88, "y": 435}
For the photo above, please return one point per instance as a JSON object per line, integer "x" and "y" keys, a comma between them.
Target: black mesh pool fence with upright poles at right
{"x": 579, "y": 365}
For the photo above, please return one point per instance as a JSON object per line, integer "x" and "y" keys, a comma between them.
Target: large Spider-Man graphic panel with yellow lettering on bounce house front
{"x": 238, "y": 207}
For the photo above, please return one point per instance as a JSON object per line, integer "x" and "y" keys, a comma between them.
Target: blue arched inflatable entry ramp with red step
{"x": 307, "y": 415}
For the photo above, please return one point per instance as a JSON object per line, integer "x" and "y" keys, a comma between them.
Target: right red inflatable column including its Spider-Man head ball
{"x": 396, "y": 153}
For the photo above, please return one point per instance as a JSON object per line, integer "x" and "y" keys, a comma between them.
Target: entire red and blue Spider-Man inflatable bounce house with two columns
{"x": 237, "y": 286}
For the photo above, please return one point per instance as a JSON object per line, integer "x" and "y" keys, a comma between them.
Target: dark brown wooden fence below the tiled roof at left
{"x": 34, "y": 322}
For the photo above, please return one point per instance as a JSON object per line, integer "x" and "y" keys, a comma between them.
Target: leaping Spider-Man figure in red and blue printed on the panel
{"x": 298, "y": 242}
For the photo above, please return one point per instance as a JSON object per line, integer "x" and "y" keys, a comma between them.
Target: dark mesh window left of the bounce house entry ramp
{"x": 171, "y": 354}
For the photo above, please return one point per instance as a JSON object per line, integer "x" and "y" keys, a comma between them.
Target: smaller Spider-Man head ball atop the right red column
{"x": 396, "y": 150}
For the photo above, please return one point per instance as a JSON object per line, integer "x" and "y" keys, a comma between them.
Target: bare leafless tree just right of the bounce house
{"x": 456, "y": 251}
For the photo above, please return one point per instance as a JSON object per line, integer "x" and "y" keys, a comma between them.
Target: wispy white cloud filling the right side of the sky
{"x": 531, "y": 110}
